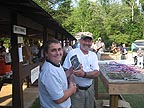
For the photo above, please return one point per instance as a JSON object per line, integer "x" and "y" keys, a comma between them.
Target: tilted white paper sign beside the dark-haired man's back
{"x": 35, "y": 74}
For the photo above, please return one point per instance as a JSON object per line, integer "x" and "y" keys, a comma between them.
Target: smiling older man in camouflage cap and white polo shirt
{"x": 83, "y": 77}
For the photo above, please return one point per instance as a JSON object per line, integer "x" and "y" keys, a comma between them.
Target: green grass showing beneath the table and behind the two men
{"x": 136, "y": 101}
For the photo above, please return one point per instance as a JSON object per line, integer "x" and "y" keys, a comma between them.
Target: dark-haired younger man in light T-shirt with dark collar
{"x": 54, "y": 91}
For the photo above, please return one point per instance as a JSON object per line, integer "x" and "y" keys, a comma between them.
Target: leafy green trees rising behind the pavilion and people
{"x": 113, "y": 21}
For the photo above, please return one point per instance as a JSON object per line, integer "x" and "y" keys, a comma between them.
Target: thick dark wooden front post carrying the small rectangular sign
{"x": 17, "y": 91}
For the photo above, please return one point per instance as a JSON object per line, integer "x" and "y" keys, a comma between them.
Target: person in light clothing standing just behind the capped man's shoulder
{"x": 100, "y": 47}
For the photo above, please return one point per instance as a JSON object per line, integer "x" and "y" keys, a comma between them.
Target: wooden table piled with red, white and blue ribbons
{"x": 117, "y": 83}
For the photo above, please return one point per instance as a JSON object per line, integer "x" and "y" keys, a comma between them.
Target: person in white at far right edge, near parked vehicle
{"x": 140, "y": 58}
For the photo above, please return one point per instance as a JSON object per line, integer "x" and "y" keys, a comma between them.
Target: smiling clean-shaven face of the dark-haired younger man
{"x": 55, "y": 53}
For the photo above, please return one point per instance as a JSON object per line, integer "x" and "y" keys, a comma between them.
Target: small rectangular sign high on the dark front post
{"x": 19, "y": 30}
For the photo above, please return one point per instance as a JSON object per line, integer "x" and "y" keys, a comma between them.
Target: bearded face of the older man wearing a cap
{"x": 85, "y": 44}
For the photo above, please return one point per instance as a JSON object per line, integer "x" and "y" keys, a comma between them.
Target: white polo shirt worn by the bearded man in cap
{"x": 88, "y": 61}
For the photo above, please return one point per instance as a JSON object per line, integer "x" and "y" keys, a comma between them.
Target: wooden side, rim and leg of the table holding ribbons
{"x": 116, "y": 87}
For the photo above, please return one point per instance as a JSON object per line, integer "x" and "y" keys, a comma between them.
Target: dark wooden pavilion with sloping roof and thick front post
{"x": 24, "y": 18}
